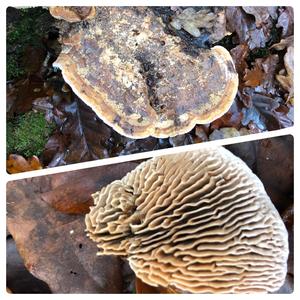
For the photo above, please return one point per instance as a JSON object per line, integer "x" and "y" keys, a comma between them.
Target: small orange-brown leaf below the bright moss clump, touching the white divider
{"x": 17, "y": 163}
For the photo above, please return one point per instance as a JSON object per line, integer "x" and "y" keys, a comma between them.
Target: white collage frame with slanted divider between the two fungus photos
{"x": 6, "y": 177}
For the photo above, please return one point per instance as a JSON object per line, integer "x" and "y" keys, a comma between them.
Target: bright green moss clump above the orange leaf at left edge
{"x": 28, "y": 134}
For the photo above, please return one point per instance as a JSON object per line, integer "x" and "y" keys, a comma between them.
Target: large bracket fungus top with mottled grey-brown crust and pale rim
{"x": 142, "y": 81}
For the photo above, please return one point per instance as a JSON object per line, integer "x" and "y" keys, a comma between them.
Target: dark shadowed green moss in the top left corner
{"x": 27, "y": 29}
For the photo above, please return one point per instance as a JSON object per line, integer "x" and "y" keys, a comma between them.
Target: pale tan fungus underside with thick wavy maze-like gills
{"x": 198, "y": 222}
